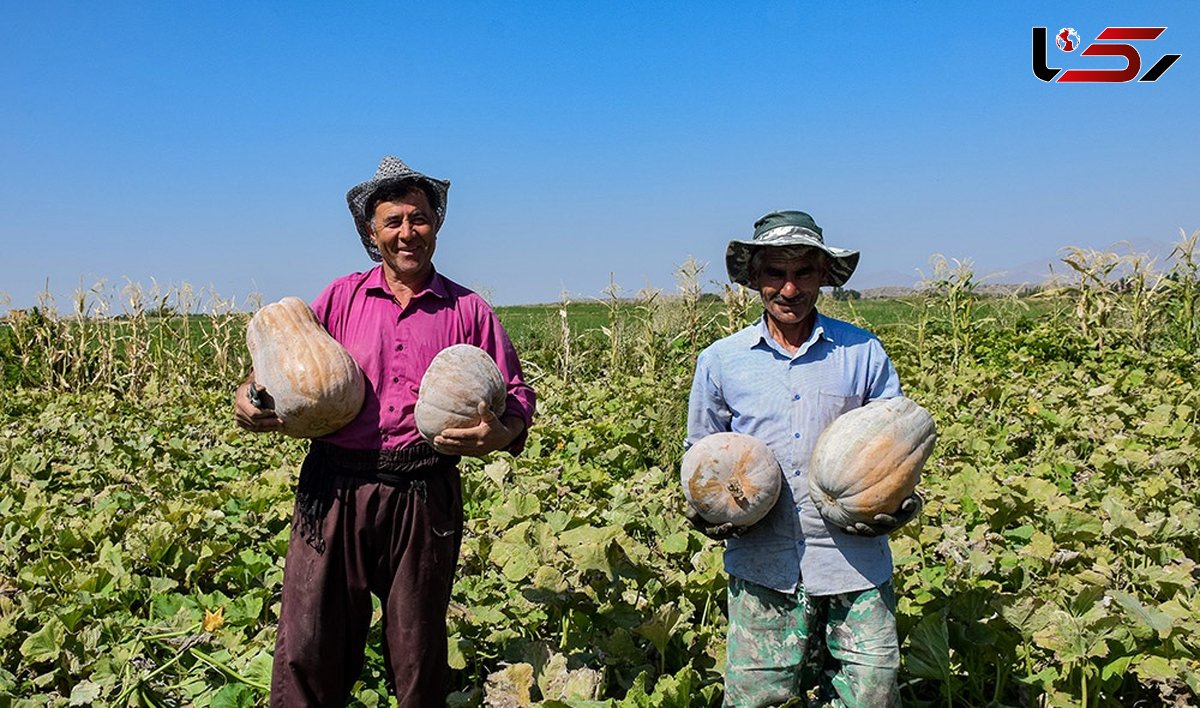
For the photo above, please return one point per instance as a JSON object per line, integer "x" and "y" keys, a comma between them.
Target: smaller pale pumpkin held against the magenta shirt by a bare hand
{"x": 457, "y": 381}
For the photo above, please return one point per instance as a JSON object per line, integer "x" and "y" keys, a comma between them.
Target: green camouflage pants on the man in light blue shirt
{"x": 813, "y": 651}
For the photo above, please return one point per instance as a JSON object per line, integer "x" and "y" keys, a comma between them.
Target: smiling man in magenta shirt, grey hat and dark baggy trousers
{"x": 379, "y": 511}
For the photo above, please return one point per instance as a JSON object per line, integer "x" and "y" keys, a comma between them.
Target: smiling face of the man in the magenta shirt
{"x": 406, "y": 232}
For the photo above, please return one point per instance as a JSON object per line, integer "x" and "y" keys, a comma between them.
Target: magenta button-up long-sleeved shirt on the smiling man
{"x": 394, "y": 347}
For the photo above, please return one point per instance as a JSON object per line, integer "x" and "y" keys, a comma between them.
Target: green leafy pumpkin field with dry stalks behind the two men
{"x": 1057, "y": 563}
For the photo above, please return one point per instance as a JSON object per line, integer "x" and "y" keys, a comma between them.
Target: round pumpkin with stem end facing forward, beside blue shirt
{"x": 731, "y": 478}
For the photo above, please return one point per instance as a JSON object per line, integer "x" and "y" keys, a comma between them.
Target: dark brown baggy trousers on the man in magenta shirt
{"x": 399, "y": 542}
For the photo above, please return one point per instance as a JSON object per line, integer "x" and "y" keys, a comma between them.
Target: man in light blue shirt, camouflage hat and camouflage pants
{"x": 811, "y": 605}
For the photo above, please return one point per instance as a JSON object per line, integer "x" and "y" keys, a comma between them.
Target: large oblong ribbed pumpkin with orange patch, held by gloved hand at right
{"x": 869, "y": 460}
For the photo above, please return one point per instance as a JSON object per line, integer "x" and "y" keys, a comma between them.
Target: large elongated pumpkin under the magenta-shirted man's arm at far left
{"x": 315, "y": 383}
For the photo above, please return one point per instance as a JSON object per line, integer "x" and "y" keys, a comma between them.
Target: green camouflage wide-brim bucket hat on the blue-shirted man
{"x": 788, "y": 229}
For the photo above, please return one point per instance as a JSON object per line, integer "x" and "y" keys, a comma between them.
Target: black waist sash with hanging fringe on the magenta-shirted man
{"x": 403, "y": 467}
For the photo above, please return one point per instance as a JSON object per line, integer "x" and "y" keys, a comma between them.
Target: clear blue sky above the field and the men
{"x": 213, "y": 143}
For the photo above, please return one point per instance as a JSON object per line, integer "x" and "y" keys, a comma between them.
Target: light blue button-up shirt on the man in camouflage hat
{"x": 748, "y": 383}
